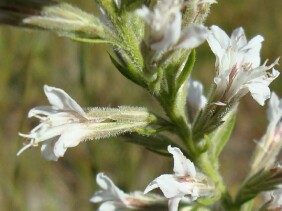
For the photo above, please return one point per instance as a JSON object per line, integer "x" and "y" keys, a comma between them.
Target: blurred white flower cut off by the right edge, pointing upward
{"x": 270, "y": 144}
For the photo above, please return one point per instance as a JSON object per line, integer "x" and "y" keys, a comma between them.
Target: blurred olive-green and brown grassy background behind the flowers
{"x": 30, "y": 59}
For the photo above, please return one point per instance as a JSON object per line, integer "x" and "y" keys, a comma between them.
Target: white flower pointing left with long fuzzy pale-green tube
{"x": 65, "y": 124}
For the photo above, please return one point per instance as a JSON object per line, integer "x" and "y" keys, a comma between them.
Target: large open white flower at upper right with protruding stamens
{"x": 238, "y": 66}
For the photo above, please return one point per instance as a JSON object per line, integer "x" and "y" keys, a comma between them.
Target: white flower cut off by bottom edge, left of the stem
{"x": 113, "y": 198}
